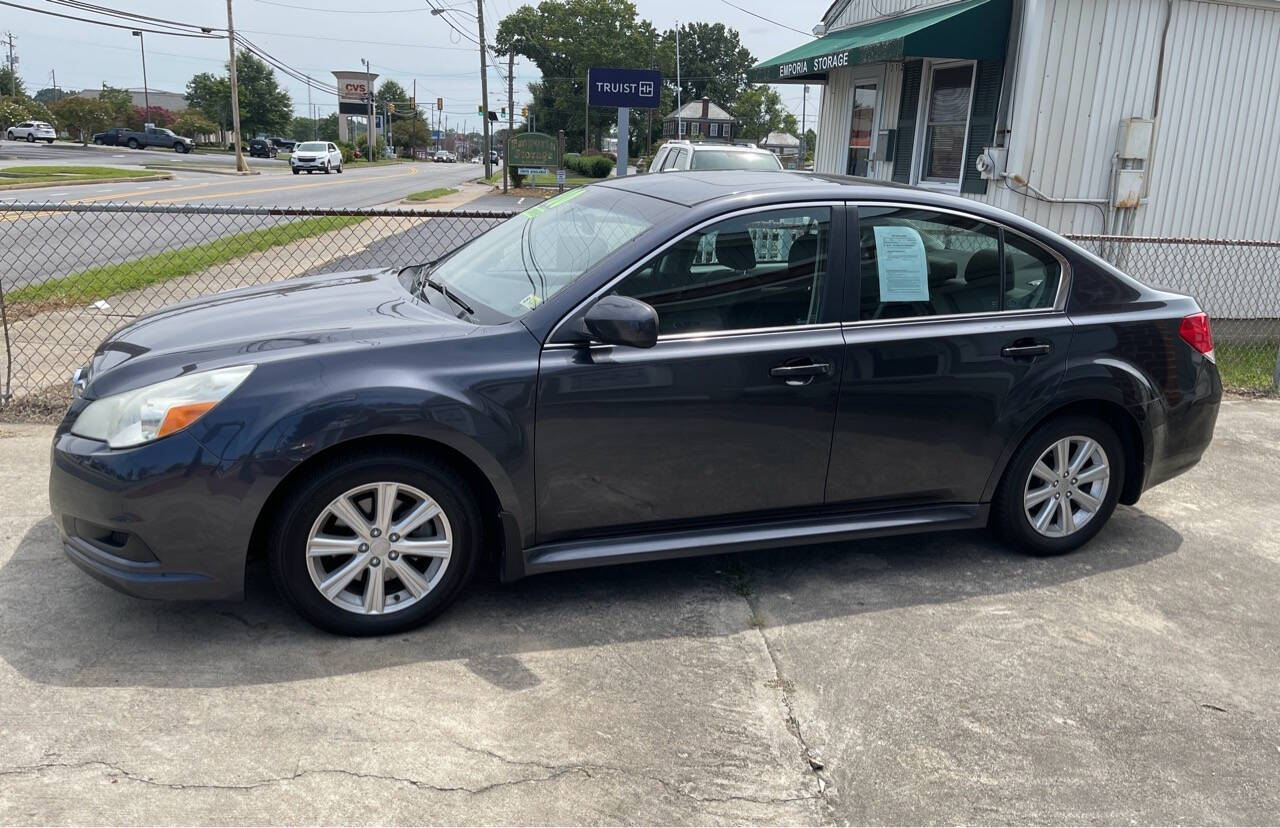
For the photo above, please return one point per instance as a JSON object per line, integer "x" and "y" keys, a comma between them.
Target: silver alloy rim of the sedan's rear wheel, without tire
{"x": 1067, "y": 487}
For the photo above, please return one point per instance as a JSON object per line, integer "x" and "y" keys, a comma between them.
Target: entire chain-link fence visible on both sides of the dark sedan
{"x": 71, "y": 275}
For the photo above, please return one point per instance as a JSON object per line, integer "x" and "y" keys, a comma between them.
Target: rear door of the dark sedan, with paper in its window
{"x": 956, "y": 332}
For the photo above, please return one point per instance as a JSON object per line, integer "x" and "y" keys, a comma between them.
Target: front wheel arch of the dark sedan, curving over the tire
{"x": 496, "y": 536}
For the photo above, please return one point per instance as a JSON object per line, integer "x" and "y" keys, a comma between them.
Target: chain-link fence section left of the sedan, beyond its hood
{"x": 71, "y": 275}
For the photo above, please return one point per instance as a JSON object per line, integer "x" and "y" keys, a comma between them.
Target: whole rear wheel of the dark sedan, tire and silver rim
{"x": 1060, "y": 487}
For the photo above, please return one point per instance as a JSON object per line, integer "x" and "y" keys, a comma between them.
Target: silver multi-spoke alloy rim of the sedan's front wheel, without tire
{"x": 380, "y": 548}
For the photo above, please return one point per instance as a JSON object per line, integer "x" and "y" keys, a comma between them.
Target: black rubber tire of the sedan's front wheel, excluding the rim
{"x": 307, "y": 502}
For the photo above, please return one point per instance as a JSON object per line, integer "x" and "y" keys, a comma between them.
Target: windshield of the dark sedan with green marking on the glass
{"x": 533, "y": 257}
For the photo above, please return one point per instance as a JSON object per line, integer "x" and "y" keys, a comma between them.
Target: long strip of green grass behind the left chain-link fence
{"x": 106, "y": 281}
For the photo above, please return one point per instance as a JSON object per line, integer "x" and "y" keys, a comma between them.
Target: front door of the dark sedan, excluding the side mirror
{"x": 729, "y": 417}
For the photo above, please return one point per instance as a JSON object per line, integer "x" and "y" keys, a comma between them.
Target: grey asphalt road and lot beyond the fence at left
{"x": 35, "y": 248}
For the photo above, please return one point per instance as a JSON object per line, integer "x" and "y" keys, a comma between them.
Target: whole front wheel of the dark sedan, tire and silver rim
{"x": 376, "y": 545}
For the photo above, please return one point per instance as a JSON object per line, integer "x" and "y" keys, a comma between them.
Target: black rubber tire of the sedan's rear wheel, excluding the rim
{"x": 1009, "y": 518}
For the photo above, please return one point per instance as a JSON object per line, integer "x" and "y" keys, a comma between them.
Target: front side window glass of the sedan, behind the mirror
{"x": 757, "y": 271}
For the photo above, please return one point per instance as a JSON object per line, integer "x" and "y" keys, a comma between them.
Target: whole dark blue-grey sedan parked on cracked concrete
{"x": 647, "y": 368}
